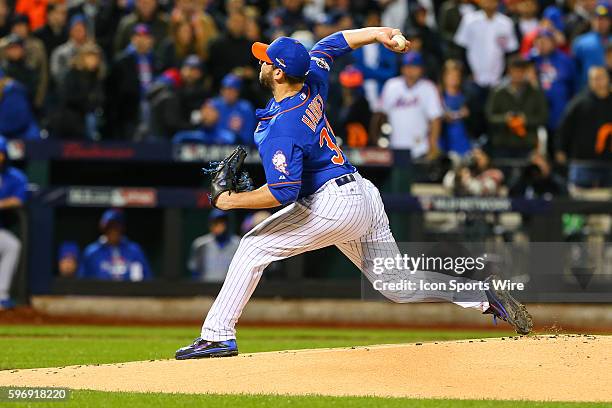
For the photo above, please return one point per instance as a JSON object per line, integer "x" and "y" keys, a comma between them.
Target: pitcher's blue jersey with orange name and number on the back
{"x": 296, "y": 143}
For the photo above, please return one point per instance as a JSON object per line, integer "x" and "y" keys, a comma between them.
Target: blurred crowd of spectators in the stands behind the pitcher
{"x": 485, "y": 74}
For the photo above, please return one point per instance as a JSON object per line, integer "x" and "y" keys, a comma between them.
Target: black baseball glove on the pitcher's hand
{"x": 226, "y": 175}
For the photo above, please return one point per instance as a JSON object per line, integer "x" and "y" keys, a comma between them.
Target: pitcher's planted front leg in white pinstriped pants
{"x": 326, "y": 218}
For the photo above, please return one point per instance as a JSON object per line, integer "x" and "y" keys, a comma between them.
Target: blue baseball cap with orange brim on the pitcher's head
{"x": 285, "y": 53}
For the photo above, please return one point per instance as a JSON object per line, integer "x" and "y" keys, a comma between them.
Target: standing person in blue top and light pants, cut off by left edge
{"x": 13, "y": 190}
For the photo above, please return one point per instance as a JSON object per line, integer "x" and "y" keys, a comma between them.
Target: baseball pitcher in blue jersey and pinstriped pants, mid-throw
{"x": 327, "y": 201}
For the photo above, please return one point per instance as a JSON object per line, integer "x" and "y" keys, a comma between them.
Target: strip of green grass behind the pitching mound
{"x": 52, "y": 346}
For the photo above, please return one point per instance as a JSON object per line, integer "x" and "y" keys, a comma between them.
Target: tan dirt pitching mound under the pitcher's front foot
{"x": 562, "y": 368}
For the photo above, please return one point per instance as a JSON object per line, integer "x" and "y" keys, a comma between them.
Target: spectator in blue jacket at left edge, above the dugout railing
{"x": 16, "y": 118}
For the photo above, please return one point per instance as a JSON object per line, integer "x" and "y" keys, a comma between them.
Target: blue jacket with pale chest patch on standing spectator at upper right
{"x": 557, "y": 75}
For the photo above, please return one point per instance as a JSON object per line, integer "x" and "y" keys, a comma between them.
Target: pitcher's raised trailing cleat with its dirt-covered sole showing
{"x": 502, "y": 305}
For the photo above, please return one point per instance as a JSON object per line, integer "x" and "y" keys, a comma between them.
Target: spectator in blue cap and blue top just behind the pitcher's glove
{"x": 235, "y": 114}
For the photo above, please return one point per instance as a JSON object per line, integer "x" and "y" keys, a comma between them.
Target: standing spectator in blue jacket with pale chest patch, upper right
{"x": 556, "y": 74}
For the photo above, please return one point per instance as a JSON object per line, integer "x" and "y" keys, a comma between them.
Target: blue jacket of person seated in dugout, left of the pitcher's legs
{"x": 125, "y": 262}
